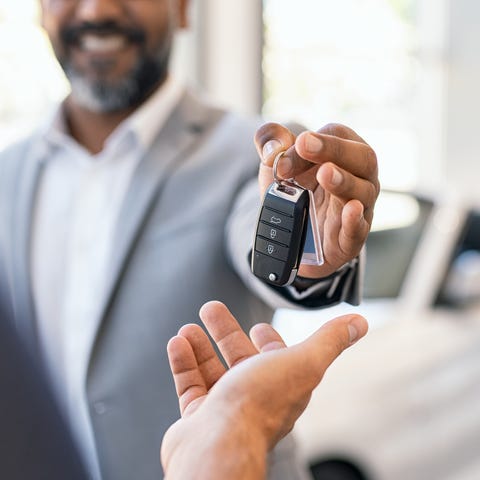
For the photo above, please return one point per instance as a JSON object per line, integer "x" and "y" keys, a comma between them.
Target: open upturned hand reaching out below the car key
{"x": 243, "y": 412}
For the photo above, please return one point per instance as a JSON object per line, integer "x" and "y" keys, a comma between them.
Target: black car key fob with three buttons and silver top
{"x": 280, "y": 233}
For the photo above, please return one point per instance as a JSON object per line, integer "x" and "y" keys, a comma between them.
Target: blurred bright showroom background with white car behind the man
{"x": 404, "y": 74}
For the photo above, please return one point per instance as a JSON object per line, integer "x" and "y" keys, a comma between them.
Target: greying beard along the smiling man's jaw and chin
{"x": 109, "y": 96}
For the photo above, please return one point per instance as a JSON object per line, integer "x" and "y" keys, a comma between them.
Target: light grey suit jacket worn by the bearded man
{"x": 183, "y": 238}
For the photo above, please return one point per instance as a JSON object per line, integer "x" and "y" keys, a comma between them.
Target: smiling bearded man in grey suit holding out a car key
{"x": 134, "y": 205}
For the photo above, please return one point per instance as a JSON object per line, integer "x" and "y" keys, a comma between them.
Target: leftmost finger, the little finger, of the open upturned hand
{"x": 188, "y": 379}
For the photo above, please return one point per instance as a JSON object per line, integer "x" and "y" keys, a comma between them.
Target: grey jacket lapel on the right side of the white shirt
{"x": 172, "y": 144}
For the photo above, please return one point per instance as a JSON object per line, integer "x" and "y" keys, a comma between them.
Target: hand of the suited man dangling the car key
{"x": 341, "y": 170}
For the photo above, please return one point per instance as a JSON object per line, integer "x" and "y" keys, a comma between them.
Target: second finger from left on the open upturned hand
{"x": 209, "y": 365}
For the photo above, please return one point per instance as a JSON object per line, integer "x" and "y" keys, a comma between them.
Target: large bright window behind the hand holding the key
{"x": 355, "y": 62}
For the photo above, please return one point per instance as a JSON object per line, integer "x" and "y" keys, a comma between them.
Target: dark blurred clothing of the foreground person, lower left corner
{"x": 33, "y": 431}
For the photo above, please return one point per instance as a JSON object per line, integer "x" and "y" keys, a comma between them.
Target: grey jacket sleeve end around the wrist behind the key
{"x": 343, "y": 285}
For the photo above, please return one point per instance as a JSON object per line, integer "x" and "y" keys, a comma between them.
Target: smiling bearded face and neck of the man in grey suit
{"x": 114, "y": 53}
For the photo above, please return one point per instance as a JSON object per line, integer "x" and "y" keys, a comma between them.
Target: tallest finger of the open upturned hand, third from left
{"x": 231, "y": 340}
